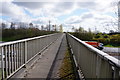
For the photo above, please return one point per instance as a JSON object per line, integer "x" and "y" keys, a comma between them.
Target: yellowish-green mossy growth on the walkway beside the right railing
{"x": 66, "y": 71}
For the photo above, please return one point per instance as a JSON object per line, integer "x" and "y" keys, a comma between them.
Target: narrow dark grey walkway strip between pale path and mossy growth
{"x": 54, "y": 71}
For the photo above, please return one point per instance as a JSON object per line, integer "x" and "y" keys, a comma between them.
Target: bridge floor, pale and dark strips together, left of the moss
{"x": 46, "y": 61}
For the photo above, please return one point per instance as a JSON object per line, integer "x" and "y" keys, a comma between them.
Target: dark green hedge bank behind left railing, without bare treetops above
{"x": 22, "y": 33}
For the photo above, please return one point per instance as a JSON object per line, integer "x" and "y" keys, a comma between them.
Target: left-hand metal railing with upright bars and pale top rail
{"x": 15, "y": 55}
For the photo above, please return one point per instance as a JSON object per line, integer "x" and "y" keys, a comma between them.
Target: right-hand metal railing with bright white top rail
{"x": 92, "y": 62}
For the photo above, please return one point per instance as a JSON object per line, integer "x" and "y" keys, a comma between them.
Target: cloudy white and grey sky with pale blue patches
{"x": 68, "y": 13}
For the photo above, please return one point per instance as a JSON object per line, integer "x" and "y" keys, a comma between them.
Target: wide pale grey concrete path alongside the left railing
{"x": 42, "y": 67}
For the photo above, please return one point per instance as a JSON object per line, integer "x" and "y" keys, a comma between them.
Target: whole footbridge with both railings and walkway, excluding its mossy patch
{"x": 41, "y": 57}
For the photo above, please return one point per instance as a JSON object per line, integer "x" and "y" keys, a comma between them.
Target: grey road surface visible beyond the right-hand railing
{"x": 115, "y": 52}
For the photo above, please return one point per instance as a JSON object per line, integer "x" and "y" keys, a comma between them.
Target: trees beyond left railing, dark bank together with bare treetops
{"x": 22, "y": 31}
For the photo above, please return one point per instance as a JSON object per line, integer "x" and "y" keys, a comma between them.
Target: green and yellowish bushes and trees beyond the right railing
{"x": 105, "y": 38}
